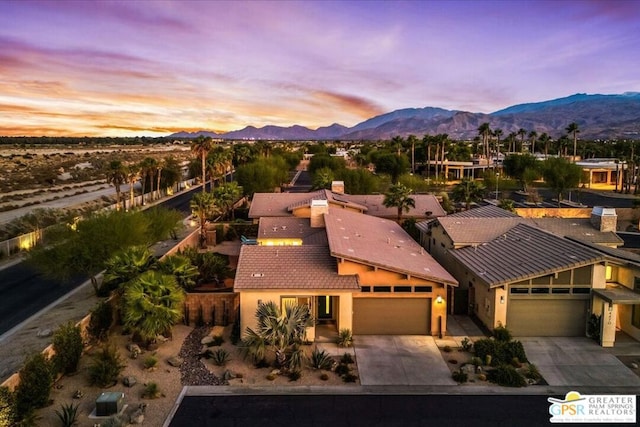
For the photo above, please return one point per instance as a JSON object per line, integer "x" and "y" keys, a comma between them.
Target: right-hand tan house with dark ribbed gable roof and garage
{"x": 537, "y": 276}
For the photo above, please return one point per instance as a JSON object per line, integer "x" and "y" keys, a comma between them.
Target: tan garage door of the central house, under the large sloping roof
{"x": 392, "y": 316}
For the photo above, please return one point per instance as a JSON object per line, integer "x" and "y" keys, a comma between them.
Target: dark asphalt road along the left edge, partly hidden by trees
{"x": 24, "y": 291}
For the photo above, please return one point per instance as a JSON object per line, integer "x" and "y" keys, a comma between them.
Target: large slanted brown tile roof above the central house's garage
{"x": 380, "y": 243}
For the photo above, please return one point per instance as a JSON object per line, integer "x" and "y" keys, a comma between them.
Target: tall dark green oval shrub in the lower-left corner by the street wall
{"x": 36, "y": 380}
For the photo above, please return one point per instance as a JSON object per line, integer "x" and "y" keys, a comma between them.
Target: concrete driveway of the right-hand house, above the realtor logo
{"x": 576, "y": 361}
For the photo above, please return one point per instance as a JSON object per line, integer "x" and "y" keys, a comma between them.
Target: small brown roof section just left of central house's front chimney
{"x": 289, "y": 227}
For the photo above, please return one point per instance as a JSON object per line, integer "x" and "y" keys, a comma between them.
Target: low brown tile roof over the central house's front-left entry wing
{"x": 289, "y": 267}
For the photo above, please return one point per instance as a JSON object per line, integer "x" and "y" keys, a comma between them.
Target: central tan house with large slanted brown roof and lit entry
{"x": 366, "y": 274}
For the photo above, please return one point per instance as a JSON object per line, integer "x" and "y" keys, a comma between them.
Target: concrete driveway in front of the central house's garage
{"x": 400, "y": 360}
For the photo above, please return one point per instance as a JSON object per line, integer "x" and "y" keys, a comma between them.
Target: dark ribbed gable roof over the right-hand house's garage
{"x": 521, "y": 253}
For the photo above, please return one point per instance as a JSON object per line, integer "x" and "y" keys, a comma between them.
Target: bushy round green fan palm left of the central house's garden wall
{"x": 152, "y": 304}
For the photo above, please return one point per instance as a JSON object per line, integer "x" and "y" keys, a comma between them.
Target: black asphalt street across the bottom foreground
{"x": 362, "y": 410}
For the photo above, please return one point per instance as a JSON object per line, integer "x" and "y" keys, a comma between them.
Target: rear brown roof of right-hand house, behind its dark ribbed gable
{"x": 466, "y": 230}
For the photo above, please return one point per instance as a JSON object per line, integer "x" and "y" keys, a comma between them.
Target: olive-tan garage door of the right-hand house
{"x": 547, "y": 317}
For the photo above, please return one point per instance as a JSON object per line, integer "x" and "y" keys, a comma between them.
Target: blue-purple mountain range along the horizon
{"x": 599, "y": 117}
